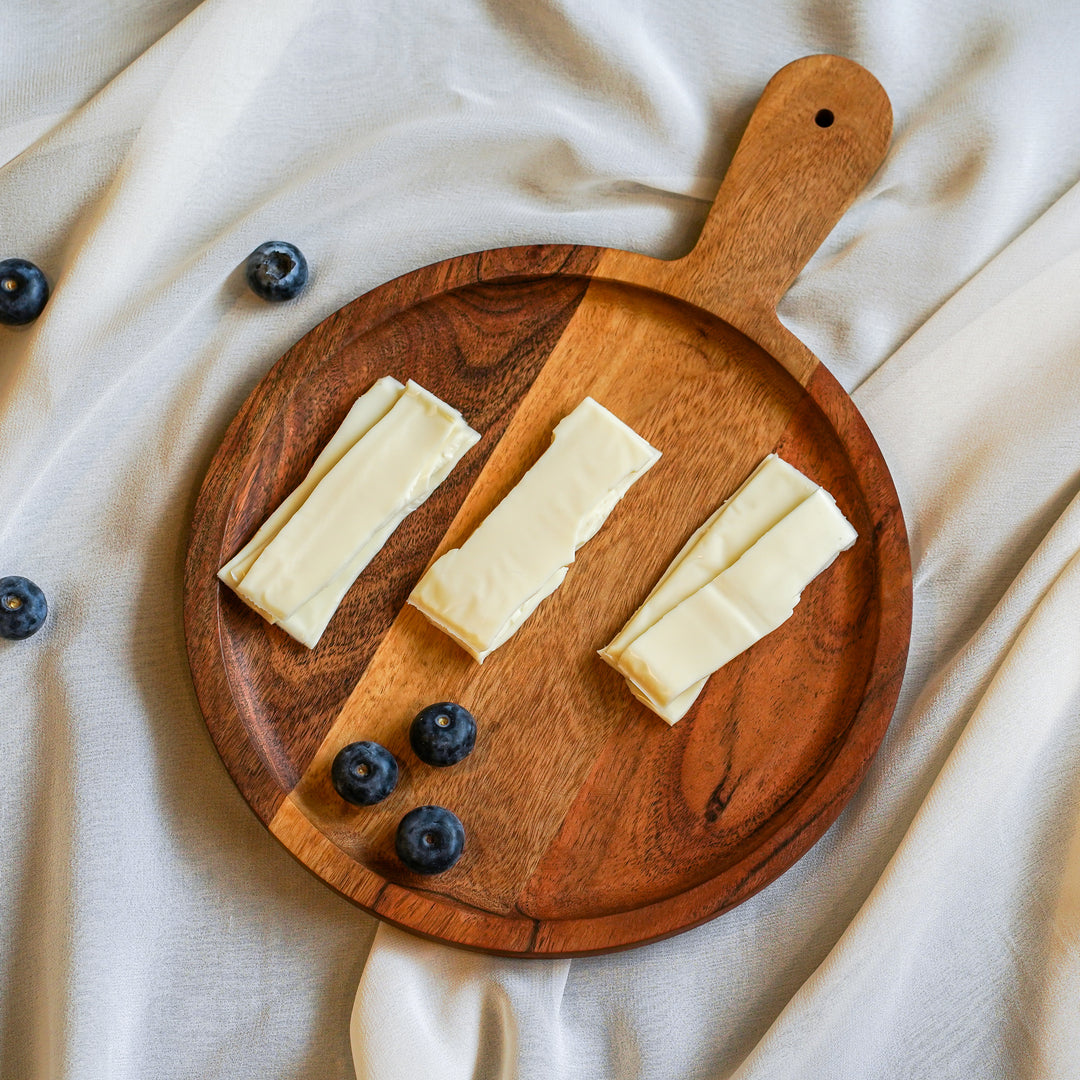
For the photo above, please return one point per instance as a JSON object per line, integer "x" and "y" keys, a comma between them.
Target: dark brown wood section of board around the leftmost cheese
{"x": 268, "y": 701}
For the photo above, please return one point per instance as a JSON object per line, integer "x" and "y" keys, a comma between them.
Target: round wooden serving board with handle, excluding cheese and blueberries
{"x": 591, "y": 825}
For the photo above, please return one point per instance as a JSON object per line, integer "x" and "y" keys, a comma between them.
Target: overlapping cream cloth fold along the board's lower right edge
{"x": 936, "y": 931}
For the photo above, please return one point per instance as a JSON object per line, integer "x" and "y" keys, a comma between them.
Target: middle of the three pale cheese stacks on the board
{"x": 483, "y": 591}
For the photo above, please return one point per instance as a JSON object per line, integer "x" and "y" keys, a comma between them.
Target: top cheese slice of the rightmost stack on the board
{"x": 742, "y": 604}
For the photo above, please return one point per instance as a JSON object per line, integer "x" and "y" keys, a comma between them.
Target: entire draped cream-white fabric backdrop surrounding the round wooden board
{"x": 150, "y": 926}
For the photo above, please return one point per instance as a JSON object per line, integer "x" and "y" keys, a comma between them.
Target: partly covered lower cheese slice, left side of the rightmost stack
{"x": 772, "y": 492}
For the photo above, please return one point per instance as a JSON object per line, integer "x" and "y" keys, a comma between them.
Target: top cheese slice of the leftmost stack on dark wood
{"x": 393, "y": 469}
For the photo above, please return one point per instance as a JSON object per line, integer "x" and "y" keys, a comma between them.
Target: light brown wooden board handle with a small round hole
{"x": 818, "y": 134}
